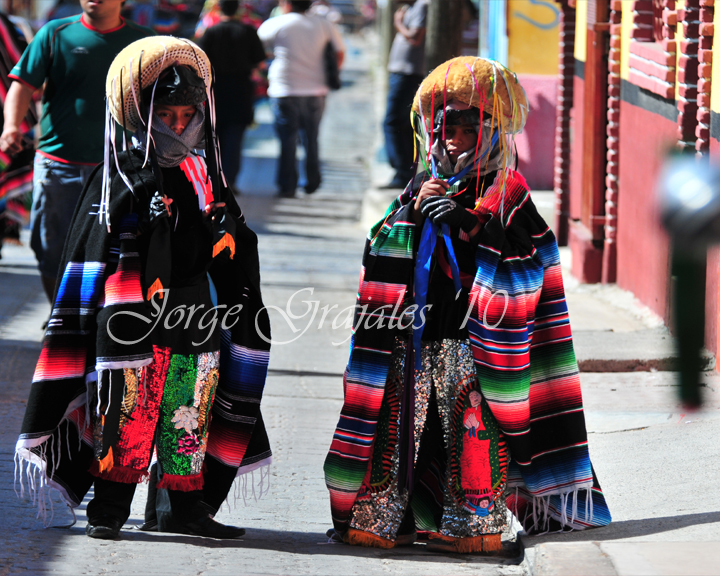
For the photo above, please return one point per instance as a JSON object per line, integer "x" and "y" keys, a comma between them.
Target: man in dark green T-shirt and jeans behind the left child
{"x": 70, "y": 56}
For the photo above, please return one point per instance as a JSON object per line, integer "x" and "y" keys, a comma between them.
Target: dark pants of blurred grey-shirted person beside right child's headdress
{"x": 398, "y": 130}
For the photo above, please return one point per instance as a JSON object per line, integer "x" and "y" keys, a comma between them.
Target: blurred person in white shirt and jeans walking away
{"x": 298, "y": 87}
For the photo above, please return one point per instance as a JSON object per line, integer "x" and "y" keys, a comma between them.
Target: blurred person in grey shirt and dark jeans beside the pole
{"x": 406, "y": 66}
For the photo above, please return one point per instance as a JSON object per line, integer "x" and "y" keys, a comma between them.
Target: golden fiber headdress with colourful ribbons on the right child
{"x": 477, "y": 82}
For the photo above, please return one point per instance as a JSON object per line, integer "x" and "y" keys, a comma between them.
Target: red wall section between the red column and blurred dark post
{"x": 643, "y": 245}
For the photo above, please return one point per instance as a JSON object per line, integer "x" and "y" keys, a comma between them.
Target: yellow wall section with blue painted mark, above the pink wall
{"x": 533, "y": 34}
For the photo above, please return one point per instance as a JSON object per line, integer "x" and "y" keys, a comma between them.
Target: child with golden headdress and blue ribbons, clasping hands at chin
{"x": 462, "y": 394}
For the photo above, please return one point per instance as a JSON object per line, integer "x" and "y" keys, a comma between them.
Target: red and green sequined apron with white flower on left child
{"x": 166, "y": 405}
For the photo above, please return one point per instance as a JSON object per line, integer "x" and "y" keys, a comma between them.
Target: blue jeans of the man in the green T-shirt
{"x": 56, "y": 189}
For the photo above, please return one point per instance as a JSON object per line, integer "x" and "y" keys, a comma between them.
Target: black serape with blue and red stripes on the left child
{"x": 101, "y": 276}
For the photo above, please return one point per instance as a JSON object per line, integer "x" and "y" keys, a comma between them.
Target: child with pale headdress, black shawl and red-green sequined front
{"x": 137, "y": 357}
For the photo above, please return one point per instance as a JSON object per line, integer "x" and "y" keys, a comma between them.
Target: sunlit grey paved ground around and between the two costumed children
{"x": 657, "y": 463}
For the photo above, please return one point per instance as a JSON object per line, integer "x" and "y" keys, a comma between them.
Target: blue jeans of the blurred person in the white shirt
{"x": 298, "y": 116}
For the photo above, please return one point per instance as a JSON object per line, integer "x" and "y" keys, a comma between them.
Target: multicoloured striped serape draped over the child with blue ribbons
{"x": 524, "y": 359}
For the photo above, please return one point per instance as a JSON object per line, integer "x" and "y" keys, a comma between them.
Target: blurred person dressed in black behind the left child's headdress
{"x": 234, "y": 50}
